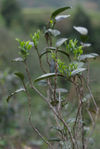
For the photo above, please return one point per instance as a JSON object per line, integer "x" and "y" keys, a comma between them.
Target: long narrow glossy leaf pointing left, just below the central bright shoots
{"x": 46, "y": 76}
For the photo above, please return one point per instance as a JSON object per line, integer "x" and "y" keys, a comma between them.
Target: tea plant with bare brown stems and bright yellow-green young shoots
{"x": 74, "y": 118}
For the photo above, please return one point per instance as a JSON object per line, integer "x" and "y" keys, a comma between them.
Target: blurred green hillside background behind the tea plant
{"x": 19, "y": 19}
